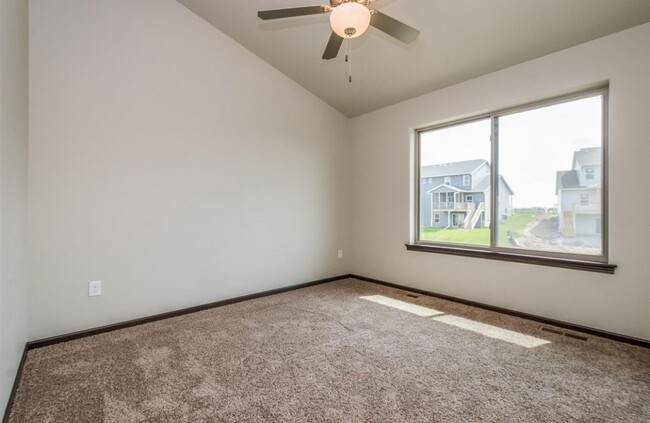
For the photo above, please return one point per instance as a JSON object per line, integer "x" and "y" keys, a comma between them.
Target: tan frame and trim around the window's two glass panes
{"x": 498, "y": 252}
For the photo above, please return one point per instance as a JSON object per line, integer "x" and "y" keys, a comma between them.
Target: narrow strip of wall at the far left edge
{"x": 13, "y": 190}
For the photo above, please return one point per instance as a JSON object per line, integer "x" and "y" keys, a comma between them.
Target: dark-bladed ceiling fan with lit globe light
{"x": 349, "y": 19}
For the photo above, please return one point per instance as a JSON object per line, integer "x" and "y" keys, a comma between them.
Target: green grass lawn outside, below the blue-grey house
{"x": 515, "y": 224}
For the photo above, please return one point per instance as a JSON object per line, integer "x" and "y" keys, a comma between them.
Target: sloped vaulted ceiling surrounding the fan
{"x": 459, "y": 40}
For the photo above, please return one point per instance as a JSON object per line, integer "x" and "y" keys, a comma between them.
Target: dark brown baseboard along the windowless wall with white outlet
{"x": 148, "y": 319}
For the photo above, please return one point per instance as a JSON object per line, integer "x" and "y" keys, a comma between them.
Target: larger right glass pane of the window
{"x": 550, "y": 187}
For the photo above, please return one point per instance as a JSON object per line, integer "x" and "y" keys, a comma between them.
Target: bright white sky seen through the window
{"x": 533, "y": 146}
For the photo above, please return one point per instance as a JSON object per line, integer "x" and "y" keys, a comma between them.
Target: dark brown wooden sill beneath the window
{"x": 589, "y": 266}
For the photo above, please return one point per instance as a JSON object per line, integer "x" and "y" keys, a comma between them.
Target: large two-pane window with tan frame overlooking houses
{"x": 530, "y": 193}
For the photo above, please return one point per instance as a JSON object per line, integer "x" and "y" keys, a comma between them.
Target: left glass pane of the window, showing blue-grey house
{"x": 456, "y": 159}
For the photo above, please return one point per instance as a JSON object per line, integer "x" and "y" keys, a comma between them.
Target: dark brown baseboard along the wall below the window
{"x": 545, "y": 320}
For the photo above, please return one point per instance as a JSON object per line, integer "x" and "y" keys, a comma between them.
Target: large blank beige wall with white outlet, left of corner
{"x": 172, "y": 164}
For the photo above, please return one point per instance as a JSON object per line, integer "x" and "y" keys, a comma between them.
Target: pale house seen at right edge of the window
{"x": 579, "y": 192}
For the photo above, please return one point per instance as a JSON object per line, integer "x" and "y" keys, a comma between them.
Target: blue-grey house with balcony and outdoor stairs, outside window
{"x": 457, "y": 195}
